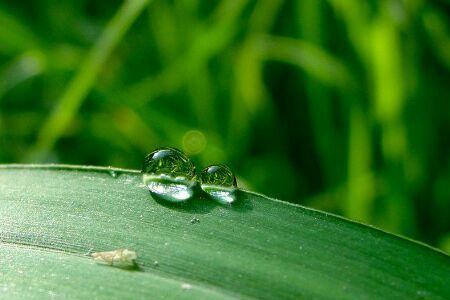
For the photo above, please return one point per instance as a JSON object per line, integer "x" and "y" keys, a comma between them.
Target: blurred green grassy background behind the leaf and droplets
{"x": 341, "y": 105}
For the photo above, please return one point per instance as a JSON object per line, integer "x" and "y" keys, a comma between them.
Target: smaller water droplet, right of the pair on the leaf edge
{"x": 219, "y": 183}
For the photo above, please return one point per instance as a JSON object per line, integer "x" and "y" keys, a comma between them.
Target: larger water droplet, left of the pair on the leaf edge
{"x": 169, "y": 175}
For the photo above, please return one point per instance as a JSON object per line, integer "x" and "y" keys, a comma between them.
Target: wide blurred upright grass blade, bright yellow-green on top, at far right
{"x": 389, "y": 100}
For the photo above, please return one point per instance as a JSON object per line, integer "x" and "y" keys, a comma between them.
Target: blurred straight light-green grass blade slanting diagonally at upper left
{"x": 83, "y": 81}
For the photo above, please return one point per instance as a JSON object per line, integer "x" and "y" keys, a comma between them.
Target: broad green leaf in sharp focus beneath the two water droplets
{"x": 52, "y": 217}
